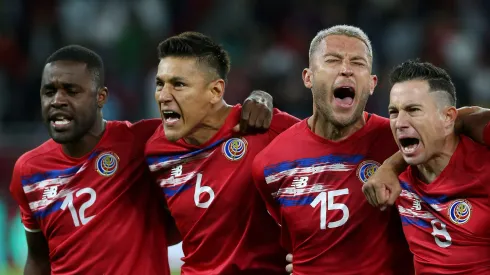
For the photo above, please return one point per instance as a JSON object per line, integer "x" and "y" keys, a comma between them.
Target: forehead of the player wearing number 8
{"x": 410, "y": 92}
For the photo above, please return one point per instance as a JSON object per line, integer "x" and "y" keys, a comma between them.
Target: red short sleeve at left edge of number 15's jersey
{"x": 265, "y": 191}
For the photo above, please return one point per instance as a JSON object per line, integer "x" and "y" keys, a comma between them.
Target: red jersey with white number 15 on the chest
{"x": 313, "y": 188}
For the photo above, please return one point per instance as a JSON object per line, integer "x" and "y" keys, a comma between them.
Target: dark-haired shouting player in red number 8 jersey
{"x": 444, "y": 203}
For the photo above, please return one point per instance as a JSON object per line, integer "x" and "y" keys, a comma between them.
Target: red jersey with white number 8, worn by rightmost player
{"x": 447, "y": 222}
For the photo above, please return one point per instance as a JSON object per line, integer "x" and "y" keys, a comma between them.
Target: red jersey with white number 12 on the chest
{"x": 100, "y": 213}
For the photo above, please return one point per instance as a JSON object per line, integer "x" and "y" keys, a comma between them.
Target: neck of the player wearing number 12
{"x": 87, "y": 143}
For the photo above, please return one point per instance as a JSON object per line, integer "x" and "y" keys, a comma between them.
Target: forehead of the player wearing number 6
{"x": 179, "y": 67}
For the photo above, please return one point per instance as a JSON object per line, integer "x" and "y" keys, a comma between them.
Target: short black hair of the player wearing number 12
{"x": 81, "y": 54}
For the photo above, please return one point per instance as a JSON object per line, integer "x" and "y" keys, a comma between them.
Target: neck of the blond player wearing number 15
{"x": 326, "y": 129}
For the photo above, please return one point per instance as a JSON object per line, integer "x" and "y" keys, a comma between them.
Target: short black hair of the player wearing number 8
{"x": 438, "y": 78}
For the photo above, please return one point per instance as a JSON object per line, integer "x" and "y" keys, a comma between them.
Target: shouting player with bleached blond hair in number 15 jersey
{"x": 313, "y": 189}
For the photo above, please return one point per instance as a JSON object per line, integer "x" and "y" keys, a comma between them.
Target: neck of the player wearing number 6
{"x": 210, "y": 125}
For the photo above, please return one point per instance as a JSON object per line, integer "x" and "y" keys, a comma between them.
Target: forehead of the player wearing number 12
{"x": 66, "y": 72}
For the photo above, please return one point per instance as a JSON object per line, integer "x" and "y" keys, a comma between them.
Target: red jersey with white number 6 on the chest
{"x": 223, "y": 222}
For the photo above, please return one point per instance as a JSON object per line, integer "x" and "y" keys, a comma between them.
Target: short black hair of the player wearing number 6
{"x": 200, "y": 46}
